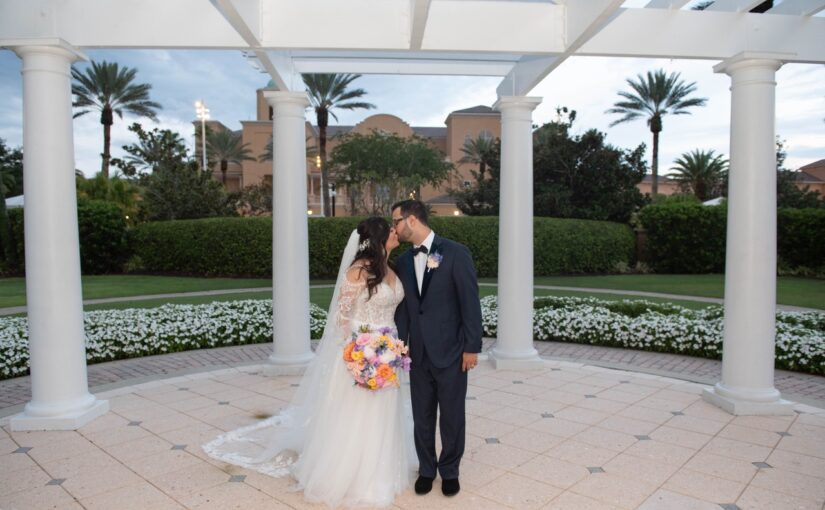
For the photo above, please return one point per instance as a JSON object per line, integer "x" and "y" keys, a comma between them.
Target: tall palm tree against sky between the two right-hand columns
{"x": 653, "y": 97}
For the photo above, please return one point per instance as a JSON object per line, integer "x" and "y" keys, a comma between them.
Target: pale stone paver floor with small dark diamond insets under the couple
{"x": 567, "y": 436}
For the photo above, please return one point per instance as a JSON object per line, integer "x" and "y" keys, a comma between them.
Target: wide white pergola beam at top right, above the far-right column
{"x": 708, "y": 35}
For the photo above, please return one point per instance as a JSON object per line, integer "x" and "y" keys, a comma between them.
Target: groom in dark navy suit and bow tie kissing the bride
{"x": 440, "y": 319}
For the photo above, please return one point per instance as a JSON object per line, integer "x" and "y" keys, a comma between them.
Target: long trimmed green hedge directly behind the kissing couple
{"x": 242, "y": 246}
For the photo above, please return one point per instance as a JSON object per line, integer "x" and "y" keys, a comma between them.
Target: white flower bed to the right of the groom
{"x": 638, "y": 324}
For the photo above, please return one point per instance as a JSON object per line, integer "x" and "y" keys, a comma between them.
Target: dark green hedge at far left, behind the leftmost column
{"x": 102, "y": 232}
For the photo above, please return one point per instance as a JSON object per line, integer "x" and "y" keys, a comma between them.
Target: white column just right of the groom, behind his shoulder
{"x": 514, "y": 346}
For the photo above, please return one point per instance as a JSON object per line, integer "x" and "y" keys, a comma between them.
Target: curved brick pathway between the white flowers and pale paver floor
{"x": 804, "y": 388}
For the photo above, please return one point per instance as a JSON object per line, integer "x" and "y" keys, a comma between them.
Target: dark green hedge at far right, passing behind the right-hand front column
{"x": 688, "y": 238}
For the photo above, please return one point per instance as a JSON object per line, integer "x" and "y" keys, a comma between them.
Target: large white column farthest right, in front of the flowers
{"x": 747, "y": 385}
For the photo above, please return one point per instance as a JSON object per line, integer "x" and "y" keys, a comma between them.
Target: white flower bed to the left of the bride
{"x": 118, "y": 334}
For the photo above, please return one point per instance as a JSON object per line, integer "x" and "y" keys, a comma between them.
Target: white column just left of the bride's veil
{"x": 290, "y": 239}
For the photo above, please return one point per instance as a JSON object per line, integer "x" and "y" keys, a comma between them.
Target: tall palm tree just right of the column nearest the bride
{"x": 328, "y": 91}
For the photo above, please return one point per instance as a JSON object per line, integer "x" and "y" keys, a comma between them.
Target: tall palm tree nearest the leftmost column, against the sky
{"x": 109, "y": 88}
